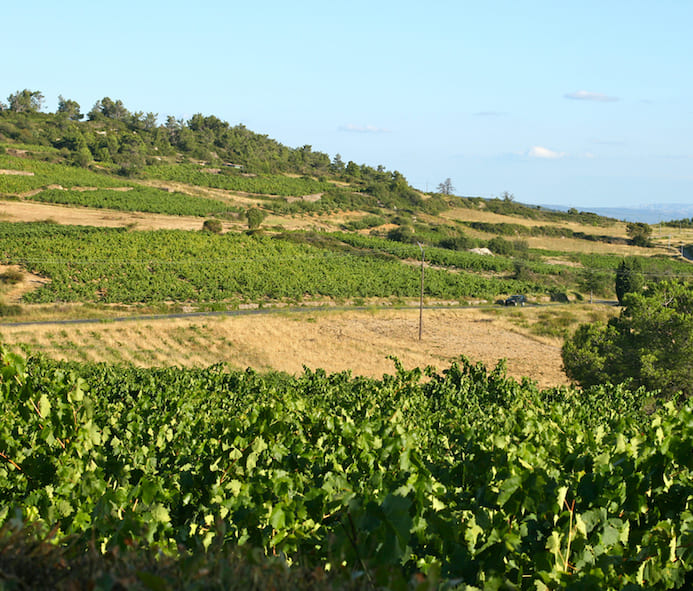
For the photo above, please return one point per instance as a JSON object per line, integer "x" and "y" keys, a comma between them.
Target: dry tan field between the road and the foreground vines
{"x": 357, "y": 341}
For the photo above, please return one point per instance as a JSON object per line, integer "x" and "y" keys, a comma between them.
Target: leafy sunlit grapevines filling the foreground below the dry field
{"x": 464, "y": 476}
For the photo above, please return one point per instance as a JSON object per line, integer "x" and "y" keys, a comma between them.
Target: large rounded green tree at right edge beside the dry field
{"x": 650, "y": 343}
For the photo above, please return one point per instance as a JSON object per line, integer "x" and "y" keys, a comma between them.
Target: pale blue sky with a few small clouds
{"x": 562, "y": 102}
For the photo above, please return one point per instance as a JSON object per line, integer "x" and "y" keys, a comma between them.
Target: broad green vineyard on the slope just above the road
{"x": 116, "y": 266}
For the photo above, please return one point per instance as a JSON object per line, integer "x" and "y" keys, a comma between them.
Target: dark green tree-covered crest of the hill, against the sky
{"x": 112, "y": 136}
